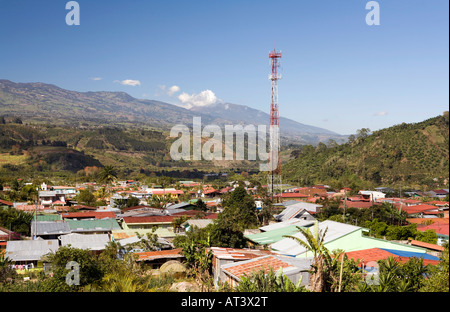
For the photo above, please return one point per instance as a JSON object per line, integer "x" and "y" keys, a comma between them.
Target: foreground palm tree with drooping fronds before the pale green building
{"x": 324, "y": 263}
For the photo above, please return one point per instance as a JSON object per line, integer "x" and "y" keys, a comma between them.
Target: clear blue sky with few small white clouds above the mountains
{"x": 338, "y": 72}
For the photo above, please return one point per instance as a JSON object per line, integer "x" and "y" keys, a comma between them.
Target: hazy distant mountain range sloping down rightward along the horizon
{"x": 43, "y": 102}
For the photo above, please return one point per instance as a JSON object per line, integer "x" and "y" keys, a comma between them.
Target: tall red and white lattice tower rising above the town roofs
{"x": 274, "y": 161}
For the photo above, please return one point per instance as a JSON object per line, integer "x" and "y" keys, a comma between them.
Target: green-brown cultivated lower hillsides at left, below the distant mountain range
{"x": 31, "y": 150}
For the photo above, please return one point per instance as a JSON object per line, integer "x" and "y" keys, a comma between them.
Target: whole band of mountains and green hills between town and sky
{"x": 49, "y": 131}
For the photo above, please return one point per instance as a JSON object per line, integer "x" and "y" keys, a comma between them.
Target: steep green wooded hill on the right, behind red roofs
{"x": 413, "y": 154}
